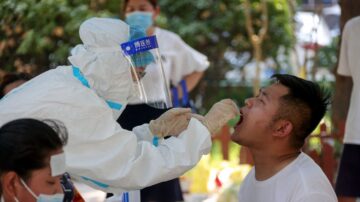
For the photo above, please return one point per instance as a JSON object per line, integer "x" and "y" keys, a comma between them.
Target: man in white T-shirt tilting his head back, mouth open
{"x": 274, "y": 126}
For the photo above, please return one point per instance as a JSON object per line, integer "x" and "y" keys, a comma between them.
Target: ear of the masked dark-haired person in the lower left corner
{"x": 10, "y": 185}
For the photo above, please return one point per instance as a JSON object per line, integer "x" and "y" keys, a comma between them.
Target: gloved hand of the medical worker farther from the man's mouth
{"x": 172, "y": 122}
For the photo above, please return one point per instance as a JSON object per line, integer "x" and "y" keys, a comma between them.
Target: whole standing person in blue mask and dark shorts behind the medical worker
{"x": 183, "y": 68}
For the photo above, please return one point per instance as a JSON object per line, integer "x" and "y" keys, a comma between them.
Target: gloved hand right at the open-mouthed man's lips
{"x": 219, "y": 114}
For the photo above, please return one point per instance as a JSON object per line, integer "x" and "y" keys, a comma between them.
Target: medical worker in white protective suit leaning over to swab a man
{"x": 88, "y": 97}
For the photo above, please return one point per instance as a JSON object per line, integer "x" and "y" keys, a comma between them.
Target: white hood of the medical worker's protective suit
{"x": 101, "y": 61}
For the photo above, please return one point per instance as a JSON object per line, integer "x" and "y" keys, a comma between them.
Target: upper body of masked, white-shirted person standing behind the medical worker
{"x": 183, "y": 65}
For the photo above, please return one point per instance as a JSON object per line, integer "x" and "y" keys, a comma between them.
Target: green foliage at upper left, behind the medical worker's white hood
{"x": 41, "y": 32}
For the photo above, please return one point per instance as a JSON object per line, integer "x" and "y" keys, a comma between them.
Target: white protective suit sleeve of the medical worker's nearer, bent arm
{"x": 121, "y": 162}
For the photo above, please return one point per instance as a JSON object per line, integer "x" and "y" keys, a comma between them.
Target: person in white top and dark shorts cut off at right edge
{"x": 348, "y": 179}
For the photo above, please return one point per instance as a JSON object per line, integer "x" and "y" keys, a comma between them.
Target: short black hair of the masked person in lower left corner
{"x": 26, "y": 143}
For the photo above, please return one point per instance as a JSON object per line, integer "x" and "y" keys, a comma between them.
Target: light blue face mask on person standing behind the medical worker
{"x": 139, "y": 19}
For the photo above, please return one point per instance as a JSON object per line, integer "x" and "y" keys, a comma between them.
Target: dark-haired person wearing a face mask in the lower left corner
{"x": 32, "y": 161}
